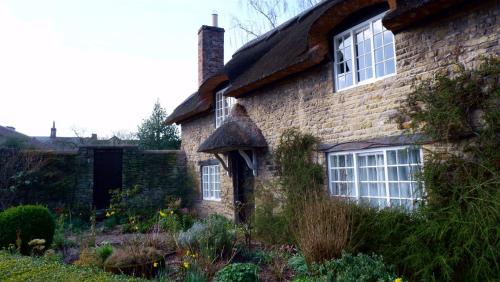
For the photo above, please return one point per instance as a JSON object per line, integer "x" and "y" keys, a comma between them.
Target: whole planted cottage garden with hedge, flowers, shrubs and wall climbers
{"x": 297, "y": 231}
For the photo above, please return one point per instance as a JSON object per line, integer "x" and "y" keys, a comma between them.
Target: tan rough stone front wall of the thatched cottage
{"x": 308, "y": 100}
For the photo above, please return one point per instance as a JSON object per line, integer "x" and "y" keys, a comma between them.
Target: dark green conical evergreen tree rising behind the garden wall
{"x": 155, "y": 134}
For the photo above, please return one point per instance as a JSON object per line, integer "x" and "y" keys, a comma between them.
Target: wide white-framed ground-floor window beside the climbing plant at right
{"x": 380, "y": 177}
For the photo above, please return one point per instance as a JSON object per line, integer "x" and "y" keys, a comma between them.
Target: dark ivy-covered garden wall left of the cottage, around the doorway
{"x": 68, "y": 181}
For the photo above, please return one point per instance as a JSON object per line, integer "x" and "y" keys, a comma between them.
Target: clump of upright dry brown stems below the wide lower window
{"x": 324, "y": 227}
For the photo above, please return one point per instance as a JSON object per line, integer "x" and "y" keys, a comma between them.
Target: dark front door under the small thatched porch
{"x": 243, "y": 187}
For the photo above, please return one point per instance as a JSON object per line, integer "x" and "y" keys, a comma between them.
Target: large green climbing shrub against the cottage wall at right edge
{"x": 457, "y": 238}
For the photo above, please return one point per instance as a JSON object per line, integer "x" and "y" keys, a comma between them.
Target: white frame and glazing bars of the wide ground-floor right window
{"x": 356, "y": 197}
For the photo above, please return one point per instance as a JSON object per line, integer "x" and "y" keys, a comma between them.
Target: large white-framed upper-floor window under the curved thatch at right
{"x": 363, "y": 54}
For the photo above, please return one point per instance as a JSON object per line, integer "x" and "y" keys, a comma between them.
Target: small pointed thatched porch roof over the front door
{"x": 238, "y": 132}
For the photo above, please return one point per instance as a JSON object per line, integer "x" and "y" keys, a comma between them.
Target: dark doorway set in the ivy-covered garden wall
{"x": 107, "y": 175}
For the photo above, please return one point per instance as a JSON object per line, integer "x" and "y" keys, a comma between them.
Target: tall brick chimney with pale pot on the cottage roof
{"x": 210, "y": 50}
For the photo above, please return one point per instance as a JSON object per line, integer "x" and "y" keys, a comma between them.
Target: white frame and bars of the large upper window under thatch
{"x": 352, "y": 32}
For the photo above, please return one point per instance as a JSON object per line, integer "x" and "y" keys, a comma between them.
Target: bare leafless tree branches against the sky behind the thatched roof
{"x": 264, "y": 15}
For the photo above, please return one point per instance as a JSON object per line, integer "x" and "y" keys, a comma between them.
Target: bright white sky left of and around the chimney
{"x": 98, "y": 66}
